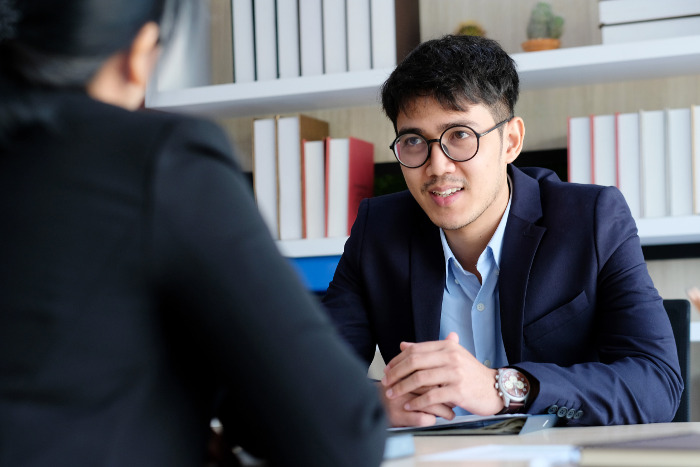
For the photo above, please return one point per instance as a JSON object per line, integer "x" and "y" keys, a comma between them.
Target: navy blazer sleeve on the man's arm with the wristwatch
{"x": 636, "y": 378}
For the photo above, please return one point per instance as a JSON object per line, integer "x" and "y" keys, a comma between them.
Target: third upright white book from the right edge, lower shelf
{"x": 652, "y": 144}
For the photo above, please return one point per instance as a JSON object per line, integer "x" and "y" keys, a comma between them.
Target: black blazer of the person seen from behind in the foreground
{"x": 137, "y": 285}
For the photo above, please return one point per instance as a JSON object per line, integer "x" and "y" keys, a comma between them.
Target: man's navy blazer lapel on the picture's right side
{"x": 520, "y": 242}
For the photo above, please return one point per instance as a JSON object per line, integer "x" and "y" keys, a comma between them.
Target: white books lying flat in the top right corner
{"x": 638, "y": 20}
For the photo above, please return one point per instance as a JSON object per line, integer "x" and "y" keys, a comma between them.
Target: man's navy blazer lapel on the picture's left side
{"x": 427, "y": 276}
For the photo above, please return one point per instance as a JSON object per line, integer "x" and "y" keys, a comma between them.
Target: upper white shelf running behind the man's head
{"x": 538, "y": 70}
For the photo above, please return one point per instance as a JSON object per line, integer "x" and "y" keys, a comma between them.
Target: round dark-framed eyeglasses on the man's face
{"x": 460, "y": 143}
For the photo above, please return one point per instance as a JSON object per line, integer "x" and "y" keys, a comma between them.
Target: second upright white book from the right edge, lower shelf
{"x": 679, "y": 162}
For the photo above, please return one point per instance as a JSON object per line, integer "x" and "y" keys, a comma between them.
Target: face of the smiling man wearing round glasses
{"x": 459, "y": 195}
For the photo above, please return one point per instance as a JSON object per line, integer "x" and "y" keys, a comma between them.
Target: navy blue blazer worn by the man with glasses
{"x": 579, "y": 312}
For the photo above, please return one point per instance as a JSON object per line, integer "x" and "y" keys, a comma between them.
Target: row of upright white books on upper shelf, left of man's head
{"x": 274, "y": 39}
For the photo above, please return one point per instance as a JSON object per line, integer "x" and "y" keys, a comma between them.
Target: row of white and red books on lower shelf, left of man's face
{"x": 306, "y": 184}
